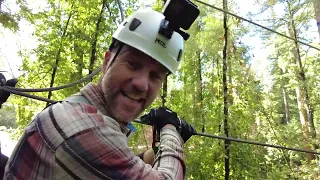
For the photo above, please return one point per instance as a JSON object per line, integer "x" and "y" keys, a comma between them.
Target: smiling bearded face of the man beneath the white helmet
{"x": 131, "y": 83}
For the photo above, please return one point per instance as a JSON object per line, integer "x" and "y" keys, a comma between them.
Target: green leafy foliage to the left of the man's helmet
{"x": 73, "y": 37}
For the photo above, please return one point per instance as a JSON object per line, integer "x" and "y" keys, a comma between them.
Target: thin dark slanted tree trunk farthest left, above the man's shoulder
{"x": 58, "y": 55}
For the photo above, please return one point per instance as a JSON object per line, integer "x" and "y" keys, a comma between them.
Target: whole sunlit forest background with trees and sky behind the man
{"x": 236, "y": 79}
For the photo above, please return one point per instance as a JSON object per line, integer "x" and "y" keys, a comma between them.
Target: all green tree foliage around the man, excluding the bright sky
{"x": 73, "y": 36}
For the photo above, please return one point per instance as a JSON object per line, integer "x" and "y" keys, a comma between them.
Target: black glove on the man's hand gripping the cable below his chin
{"x": 162, "y": 116}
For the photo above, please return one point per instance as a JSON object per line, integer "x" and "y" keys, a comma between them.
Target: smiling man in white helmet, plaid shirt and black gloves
{"x": 85, "y": 136}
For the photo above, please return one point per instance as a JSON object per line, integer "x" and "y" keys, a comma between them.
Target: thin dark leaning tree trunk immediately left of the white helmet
{"x": 95, "y": 37}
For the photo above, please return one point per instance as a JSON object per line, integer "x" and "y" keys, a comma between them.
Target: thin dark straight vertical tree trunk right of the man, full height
{"x": 225, "y": 95}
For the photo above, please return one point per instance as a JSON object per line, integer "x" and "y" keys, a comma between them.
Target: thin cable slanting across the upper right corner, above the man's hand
{"x": 263, "y": 27}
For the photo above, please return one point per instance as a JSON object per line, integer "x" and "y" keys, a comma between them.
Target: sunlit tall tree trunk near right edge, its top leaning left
{"x": 305, "y": 109}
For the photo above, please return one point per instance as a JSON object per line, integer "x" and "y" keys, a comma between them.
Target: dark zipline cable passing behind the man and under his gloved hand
{"x": 198, "y": 134}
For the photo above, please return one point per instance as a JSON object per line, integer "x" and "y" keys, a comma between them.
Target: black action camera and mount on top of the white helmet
{"x": 178, "y": 14}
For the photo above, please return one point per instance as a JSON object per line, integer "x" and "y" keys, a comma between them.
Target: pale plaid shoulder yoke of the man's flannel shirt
{"x": 63, "y": 120}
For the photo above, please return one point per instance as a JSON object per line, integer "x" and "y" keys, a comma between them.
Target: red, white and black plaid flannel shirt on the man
{"x": 75, "y": 140}
